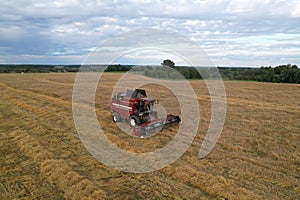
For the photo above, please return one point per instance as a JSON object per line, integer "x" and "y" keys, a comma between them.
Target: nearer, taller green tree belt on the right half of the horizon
{"x": 279, "y": 74}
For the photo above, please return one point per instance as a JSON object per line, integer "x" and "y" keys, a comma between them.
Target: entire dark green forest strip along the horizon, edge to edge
{"x": 279, "y": 74}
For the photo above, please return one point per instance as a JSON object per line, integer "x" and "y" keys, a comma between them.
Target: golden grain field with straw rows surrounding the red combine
{"x": 41, "y": 156}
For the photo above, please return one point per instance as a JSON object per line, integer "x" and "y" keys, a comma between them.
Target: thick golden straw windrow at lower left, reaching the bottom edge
{"x": 57, "y": 171}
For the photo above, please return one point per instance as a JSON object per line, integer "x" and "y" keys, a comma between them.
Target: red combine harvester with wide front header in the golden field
{"x": 135, "y": 107}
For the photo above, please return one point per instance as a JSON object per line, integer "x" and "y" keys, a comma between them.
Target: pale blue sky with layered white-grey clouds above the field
{"x": 245, "y": 33}
